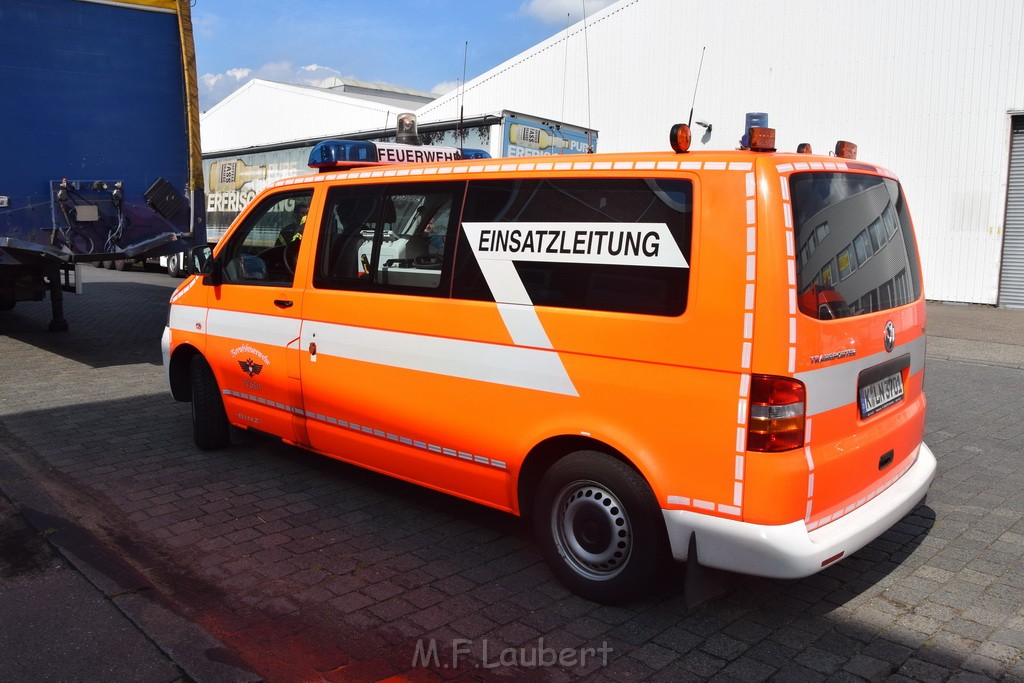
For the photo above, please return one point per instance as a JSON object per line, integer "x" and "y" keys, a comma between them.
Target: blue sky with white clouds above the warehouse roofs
{"x": 417, "y": 45}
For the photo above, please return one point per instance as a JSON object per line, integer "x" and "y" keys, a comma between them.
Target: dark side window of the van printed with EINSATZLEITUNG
{"x": 600, "y": 244}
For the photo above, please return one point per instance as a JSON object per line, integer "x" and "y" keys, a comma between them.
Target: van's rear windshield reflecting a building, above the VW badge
{"x": 856, "y": 249}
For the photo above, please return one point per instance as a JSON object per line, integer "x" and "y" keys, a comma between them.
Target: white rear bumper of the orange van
{"x": 790, "y": 551}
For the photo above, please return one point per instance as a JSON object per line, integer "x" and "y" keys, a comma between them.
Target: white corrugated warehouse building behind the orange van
{"x": 932, "y": 91}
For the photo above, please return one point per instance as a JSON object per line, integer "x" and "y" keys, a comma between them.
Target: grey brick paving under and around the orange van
{"x": 311, "y": 569}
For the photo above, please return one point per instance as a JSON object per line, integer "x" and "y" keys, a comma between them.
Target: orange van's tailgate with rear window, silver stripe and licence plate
{"x": 861, "y": 334}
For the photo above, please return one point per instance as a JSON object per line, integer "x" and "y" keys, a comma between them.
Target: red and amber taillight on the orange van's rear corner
{"x": 778, "y": 412}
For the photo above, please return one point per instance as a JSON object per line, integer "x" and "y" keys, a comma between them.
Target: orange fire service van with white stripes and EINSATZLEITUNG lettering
{"x": 632, "y": 349}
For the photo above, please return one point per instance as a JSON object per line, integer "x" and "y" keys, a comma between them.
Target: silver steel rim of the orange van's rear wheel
{"x": 591, "y": 531}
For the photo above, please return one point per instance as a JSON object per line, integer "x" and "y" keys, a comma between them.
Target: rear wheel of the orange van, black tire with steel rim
{"x": 600, "y": 528}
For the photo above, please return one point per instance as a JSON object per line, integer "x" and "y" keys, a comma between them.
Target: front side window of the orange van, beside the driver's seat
{"x": 266, "y": 248}
